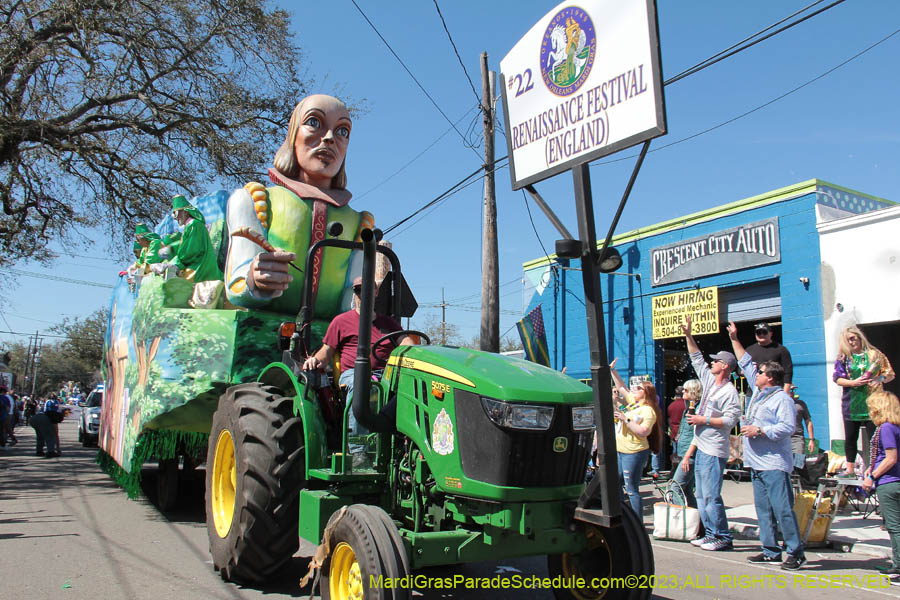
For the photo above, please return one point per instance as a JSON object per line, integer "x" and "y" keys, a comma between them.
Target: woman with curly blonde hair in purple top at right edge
{"x": 884, "y": 470}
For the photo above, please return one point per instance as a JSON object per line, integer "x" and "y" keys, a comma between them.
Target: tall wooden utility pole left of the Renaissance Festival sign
{"x": 490, "y": 276}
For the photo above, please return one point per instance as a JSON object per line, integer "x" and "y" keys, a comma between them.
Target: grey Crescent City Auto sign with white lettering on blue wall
{"x": 740, "y": 247}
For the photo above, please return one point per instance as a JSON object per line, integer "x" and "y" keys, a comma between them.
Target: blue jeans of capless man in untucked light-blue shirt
{"x": 774, "y": 501}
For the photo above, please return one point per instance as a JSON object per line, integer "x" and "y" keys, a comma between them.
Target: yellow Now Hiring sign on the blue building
{"x": 670, "y": 310}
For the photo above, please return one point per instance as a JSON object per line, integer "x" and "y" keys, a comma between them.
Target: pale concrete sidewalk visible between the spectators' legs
{"x": 850, "y": 532}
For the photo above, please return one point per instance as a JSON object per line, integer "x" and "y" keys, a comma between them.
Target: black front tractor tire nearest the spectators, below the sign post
{"x": 613, "y": 552}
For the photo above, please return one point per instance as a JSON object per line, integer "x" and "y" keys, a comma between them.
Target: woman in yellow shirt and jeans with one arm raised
{"x": 638, "y": 431}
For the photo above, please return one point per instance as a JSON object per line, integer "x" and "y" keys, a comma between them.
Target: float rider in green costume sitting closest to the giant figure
{"x": 195, "y": 259}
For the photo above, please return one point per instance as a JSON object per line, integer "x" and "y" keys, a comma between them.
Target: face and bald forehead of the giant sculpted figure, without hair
{"x": 322, "y": 139}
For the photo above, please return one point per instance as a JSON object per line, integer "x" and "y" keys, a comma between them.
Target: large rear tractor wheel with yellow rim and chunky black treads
{"x": 253, "y": 482}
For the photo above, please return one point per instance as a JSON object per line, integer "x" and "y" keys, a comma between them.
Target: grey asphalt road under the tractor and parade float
{"x": 69, "y": 532}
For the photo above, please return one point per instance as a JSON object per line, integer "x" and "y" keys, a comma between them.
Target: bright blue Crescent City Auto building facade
{"x": 782, "y": 289}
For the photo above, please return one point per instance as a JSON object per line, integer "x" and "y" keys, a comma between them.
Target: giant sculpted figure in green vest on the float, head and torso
{"x": 309, "y": 192}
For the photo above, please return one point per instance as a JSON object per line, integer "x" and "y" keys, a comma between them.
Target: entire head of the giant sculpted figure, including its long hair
{"x": 315, "y": 148}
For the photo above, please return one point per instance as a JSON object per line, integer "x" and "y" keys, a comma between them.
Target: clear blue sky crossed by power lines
{"x": 841, "y": 128}
